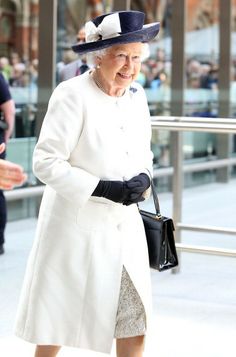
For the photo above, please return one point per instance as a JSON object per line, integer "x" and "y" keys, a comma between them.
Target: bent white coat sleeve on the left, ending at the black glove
{"x": 59, "y": 136}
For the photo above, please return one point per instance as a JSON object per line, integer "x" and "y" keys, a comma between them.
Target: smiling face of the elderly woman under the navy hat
{"x": 120, "y": 66}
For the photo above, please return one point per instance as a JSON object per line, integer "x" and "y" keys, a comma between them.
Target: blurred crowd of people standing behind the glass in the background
{"x": 155, "y": 71}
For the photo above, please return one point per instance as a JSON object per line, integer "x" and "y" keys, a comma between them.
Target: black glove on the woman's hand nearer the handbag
{"x": 138, "y": 185}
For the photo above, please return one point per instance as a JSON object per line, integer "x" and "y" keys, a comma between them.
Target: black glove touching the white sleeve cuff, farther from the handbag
{"x": 116, "y": 191}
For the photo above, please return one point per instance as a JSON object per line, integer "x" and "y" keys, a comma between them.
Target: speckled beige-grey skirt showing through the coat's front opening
{"x": 131, "y": 317}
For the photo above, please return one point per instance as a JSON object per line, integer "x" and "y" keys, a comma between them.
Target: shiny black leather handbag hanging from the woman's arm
{"x": 160, "y": 237}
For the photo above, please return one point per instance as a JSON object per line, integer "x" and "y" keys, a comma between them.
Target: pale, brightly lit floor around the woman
{"x": 194, "y": 311}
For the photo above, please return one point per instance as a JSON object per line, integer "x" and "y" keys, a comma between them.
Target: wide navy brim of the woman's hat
{"x": 146, "y": 34}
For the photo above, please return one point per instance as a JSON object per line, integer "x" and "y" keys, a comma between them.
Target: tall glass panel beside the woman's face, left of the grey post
{"x": 155, "y": 74}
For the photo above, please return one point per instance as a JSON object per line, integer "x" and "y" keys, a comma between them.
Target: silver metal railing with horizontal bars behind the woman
{"x": 179, "y": 124}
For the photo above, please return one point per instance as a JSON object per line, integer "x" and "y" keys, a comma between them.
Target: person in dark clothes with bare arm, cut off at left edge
{"x": 7, "y": 113}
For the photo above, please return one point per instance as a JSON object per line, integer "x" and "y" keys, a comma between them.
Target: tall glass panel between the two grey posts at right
{"x": 202, "y": 59}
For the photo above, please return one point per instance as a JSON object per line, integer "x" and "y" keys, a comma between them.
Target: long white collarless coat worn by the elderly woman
{"x": 72, "y": 283}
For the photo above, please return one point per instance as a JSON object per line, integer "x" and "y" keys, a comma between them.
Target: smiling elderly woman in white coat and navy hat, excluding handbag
{"x": 88, "y": 278}
